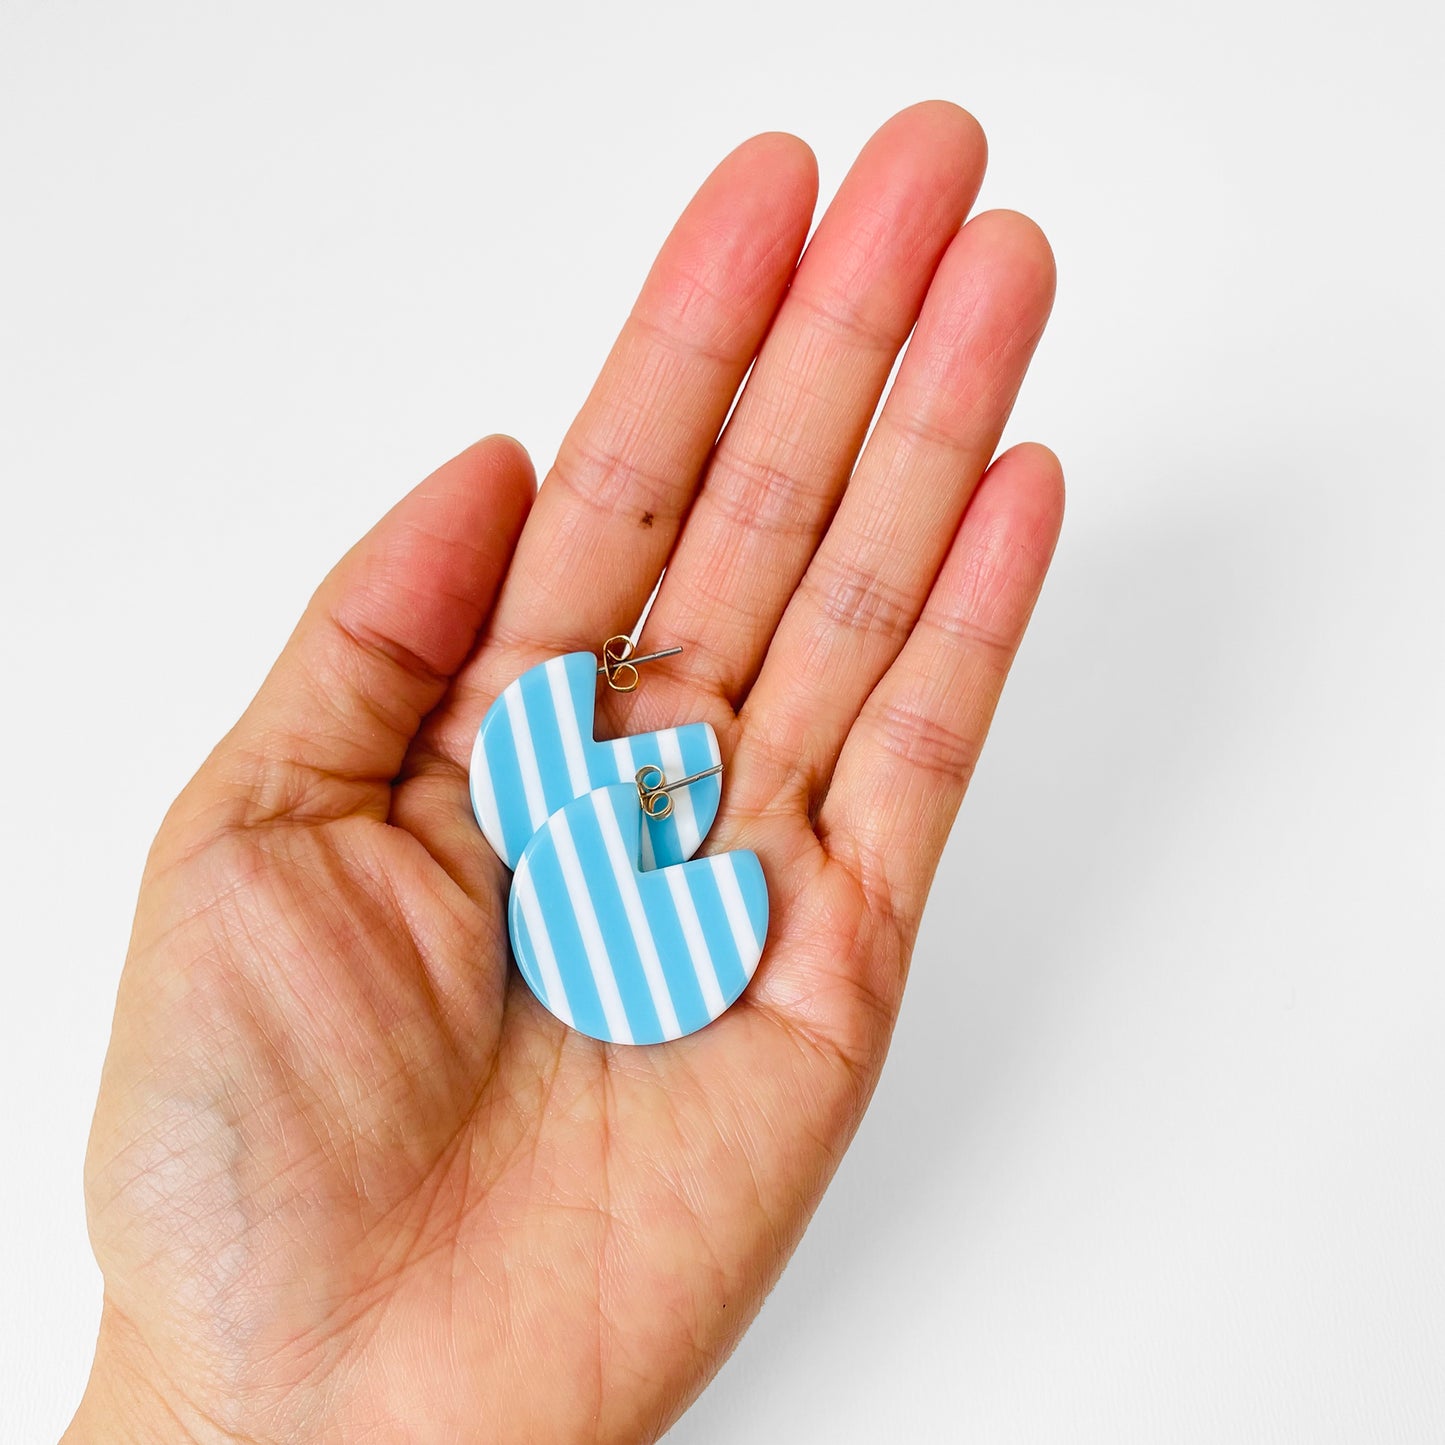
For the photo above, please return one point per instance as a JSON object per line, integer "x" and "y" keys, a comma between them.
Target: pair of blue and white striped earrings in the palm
{"x": 616, "y": 928}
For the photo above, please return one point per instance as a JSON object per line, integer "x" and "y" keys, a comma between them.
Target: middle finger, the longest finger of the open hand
{"x": 785, "y": 457}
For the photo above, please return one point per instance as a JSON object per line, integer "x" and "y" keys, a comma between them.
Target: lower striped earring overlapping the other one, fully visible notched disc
{"x": 622, "y": 952}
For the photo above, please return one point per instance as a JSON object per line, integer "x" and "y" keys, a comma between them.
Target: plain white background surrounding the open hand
{"x": 1160, "y": 1151}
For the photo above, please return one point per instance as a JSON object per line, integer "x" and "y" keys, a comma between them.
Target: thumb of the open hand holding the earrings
{"x": 379, "y": 642}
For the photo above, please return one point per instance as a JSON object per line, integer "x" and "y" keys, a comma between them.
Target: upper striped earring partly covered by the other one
{"x": 537, "y": 752}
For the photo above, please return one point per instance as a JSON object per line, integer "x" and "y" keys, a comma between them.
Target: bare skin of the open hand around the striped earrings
{"x": 348, "y": 1180}
